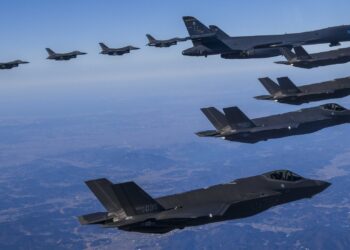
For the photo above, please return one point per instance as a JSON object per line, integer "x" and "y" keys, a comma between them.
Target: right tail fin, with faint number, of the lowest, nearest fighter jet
{"x": 134, "y": 200}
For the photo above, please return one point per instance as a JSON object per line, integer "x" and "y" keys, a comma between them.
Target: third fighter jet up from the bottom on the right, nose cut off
{"x": 286, "y": 91}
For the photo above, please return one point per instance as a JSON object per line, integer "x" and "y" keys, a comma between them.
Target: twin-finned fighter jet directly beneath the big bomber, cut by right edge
{"x": 302, "y": 59}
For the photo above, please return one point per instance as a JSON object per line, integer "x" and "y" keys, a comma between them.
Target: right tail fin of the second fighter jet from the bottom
{"x": 237, "y": 119}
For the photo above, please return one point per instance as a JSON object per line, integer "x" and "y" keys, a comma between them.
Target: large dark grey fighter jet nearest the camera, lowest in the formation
{"x": 130, "y": 208}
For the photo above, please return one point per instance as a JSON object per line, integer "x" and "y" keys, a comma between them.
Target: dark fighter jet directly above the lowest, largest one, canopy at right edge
{"x": 234, "y": 125}
